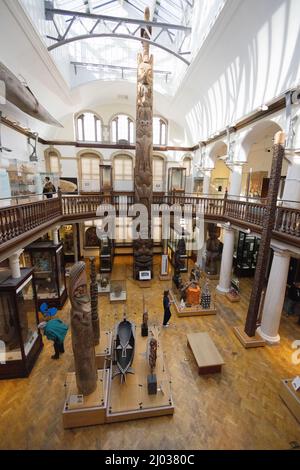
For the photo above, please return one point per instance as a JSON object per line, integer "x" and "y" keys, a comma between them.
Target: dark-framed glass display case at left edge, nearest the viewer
{"x": 20, "y": 339}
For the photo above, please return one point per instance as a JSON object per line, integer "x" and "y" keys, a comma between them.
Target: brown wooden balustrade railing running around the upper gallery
{"x": 19, "y": 221}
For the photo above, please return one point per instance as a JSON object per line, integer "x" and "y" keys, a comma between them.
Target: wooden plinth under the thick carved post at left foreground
{"x": 91, "y": 409}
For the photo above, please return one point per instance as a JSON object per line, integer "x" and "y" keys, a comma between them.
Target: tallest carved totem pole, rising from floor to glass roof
{"x": 143, "y": 178}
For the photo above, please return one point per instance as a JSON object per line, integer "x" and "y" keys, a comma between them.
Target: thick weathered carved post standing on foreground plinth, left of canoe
{"x": 82, "y": 331}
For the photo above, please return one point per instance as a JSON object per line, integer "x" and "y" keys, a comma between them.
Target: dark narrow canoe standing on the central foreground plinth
{"x": 124, "y": 347}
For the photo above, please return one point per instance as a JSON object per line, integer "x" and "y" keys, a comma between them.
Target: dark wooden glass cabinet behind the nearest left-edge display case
{"x": 49, "y": 272}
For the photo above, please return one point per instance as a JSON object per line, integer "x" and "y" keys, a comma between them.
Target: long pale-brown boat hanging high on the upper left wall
{"x": 21, "y": 96}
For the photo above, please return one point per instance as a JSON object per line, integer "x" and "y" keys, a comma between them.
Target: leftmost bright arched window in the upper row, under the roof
{"x": 88, "y": 127}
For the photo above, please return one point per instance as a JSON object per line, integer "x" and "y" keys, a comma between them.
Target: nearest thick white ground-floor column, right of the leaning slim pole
{"x": 274, "y": 298}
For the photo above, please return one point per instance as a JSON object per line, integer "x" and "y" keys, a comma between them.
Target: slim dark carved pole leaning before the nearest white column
{"x": 265, "y": 241}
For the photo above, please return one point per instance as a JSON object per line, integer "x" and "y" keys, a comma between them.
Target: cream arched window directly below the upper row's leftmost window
{"x": 89, "y": 171}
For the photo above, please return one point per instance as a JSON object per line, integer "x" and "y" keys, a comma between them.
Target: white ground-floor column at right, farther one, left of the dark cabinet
{"x": 226, "y": 262}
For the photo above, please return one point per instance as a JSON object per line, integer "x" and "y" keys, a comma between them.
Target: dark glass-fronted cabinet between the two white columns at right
{"x": 246, "y": 255}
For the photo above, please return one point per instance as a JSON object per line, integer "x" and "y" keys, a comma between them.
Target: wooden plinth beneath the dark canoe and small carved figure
{"x": 130, "y": 400}
